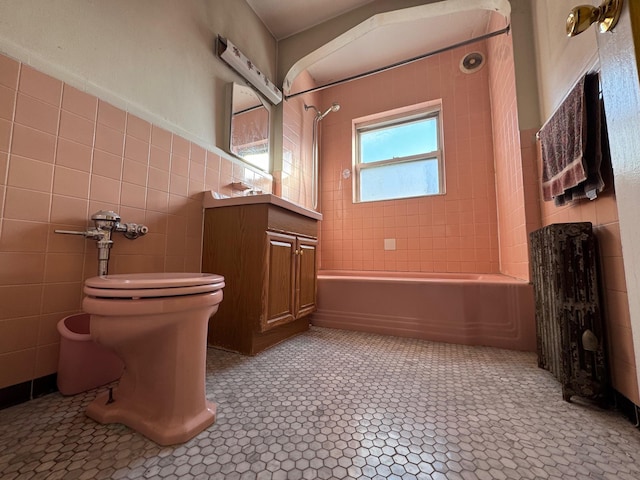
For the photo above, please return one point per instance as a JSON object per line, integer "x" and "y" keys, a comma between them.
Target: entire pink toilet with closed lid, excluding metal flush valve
{"x": 157, "y": 324}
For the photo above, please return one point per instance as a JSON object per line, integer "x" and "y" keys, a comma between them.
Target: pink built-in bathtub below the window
{"x": 469, "y": 309}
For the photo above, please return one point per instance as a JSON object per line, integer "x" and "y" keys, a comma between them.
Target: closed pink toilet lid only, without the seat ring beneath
{"x": 153, "y": 280}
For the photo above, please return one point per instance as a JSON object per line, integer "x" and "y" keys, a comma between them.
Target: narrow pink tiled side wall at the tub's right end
{"x": 513, "y": 158}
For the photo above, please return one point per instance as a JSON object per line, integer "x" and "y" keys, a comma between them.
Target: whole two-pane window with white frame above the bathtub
{"x": 399, "y": 155}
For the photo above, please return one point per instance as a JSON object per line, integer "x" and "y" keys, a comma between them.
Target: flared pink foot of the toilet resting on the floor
{"x": 162, "y": 432}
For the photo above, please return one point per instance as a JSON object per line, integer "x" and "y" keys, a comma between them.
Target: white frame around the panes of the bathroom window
{"x": 398, "y": 117}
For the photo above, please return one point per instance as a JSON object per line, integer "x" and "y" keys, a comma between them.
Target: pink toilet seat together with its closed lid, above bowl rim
{"x": 146, "y": 285}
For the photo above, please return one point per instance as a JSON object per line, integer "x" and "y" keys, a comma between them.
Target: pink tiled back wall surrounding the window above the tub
{"x": 456, "y": 232}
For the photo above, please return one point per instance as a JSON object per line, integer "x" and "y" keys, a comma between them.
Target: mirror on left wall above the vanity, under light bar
{"x": 249, "y": 133}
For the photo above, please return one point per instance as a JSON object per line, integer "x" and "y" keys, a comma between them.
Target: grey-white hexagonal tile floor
{"x": 332, "y": 404}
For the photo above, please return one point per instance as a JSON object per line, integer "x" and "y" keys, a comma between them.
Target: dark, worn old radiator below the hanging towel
{"x": 569, "y": 327}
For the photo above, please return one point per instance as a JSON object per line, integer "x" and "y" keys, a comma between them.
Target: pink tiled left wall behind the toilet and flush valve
{"x": 64, "y": 155}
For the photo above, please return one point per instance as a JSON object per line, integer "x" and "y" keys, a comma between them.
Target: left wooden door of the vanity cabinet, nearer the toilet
{"x": 279, "y": 285}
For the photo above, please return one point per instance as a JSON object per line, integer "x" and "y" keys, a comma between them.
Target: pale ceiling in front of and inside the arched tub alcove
{"x": 383, "y": 39}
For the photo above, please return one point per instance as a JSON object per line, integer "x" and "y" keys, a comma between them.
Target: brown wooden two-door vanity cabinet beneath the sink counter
{"x": 267, "y": 255}
